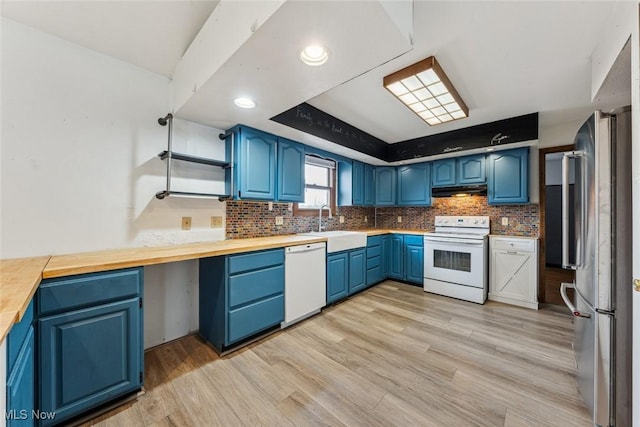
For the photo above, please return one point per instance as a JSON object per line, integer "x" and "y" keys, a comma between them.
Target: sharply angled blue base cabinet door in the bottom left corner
{"x": 21, "y": 385}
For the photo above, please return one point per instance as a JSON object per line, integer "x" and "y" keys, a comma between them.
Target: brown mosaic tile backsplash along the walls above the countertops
{"x": 254, "y": 219}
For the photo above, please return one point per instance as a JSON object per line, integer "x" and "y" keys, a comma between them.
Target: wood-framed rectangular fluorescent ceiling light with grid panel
{"x": 425, "y": 81}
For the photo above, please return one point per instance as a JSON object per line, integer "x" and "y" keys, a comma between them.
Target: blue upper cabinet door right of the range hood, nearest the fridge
{"x": 508, "y": 180}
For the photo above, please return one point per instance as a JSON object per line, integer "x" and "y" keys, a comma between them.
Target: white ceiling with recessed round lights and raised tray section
{"x": 504, "y": 58}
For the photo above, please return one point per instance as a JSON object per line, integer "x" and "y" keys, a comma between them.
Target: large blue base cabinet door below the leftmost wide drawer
{"x": 88, "y": 357}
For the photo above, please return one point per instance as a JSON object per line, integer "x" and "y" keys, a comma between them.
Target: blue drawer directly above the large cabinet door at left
{"x": 88, "y": 289}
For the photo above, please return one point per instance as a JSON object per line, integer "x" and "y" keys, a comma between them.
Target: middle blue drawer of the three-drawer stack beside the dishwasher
{"x": 253, "y": 285}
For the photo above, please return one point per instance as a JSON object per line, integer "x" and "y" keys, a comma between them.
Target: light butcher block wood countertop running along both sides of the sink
{"x": 20, "y": 277}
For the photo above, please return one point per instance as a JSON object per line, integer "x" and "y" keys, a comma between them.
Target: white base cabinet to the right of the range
{"x": 513, "y": 270}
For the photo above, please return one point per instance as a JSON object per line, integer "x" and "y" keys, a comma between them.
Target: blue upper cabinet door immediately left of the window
{"x": 290, "y": 171}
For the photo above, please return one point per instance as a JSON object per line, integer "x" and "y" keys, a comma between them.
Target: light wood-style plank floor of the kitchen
{"x": 393, "y": 355}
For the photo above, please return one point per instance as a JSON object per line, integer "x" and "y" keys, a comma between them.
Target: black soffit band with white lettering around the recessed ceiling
{"x": 311, "y": 120}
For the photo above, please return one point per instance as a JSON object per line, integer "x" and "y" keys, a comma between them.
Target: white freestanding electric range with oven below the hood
{"x": 456, "y": 258}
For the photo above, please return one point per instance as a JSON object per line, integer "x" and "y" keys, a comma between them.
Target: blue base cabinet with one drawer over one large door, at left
{"x": 90, "y": 342}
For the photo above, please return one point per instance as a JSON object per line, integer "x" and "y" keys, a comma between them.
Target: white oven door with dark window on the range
{"x": 454, "y": 260}
